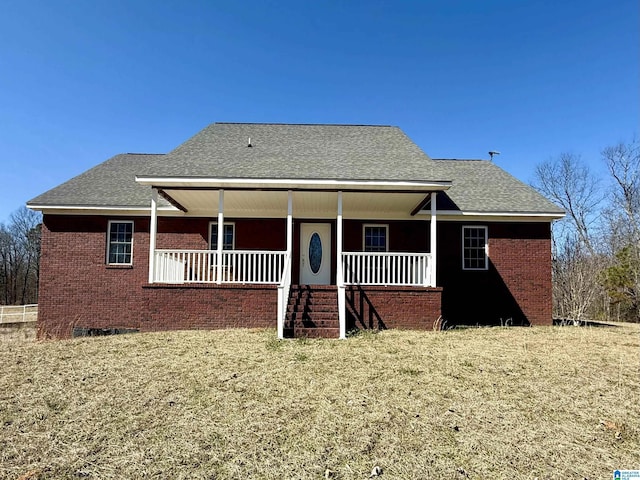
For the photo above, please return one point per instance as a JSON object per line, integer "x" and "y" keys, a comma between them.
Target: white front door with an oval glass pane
{"x": 315, "y": 253}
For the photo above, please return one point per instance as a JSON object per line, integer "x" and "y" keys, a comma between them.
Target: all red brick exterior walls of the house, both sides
{"x": 77, "y": 288}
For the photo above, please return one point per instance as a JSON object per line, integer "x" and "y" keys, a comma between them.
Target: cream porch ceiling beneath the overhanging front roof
{"x": 306, "y": 204}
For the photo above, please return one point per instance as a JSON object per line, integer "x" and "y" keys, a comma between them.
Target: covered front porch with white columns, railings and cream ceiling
{"x": 329, "y": 234}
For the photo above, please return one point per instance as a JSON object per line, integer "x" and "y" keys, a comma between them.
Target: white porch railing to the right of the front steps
{"x": 386, "y": 268}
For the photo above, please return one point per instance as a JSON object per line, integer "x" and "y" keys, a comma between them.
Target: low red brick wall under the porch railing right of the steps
{"x": 374, "y": 307}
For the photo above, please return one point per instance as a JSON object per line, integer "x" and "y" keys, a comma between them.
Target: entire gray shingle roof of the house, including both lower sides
{"x": 282, "y": 151}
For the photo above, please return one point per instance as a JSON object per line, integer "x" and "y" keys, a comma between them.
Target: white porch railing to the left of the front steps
{"x": 200, "y": 266}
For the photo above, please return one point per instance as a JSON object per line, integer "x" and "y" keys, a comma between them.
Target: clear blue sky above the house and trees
{"x": 81, "y": 81}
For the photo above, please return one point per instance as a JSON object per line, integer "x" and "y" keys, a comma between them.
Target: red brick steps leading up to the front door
{"x": 312, "y": 311}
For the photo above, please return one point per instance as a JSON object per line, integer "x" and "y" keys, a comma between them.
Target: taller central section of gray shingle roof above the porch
{"x": 337, "y": 152}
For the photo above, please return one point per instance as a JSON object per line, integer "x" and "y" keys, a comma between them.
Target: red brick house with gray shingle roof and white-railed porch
{"x": 315, "y": 229}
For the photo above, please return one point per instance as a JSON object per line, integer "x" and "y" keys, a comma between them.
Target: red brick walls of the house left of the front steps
{"x": 77, "y": 288}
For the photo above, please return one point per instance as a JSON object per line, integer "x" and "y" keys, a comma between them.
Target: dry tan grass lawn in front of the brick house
{"x": 557, "y": 402}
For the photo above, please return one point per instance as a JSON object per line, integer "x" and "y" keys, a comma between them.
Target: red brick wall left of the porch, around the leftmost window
{"x": 76, "y": 286}
